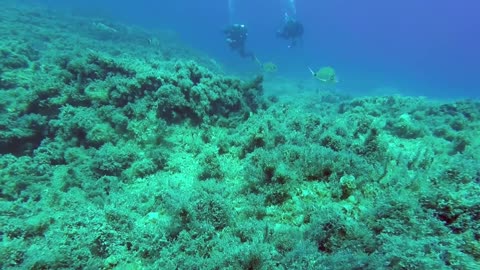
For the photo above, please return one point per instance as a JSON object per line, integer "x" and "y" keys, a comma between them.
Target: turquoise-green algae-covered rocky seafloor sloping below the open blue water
{"x": 121, "y": 153}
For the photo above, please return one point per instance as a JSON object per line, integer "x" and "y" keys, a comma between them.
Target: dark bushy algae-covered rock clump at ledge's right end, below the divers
{"x": 202, "y": 97}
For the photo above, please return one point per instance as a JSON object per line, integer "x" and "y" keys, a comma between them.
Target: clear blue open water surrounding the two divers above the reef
{"x": 426, "y": 47}
